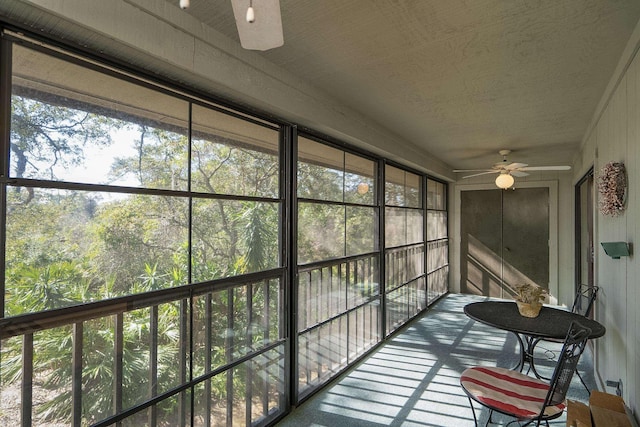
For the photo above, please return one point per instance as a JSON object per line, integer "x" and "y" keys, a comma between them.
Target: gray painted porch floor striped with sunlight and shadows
{"x": 413, "y": 380}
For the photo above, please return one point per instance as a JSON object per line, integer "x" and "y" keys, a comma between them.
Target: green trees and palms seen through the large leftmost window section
{"x": 68, "y": 247}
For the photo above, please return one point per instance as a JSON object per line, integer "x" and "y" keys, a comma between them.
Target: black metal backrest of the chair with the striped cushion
{"x": 572, "y": 349}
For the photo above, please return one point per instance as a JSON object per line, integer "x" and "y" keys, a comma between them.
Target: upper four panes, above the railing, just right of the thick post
{"x": 336, "y": 215}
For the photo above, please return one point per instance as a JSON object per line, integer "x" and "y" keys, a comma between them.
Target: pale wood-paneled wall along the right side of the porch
{"x": 615, "y": 136}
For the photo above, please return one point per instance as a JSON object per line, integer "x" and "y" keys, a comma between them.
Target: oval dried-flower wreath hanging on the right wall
{"x": 612, "y": 186}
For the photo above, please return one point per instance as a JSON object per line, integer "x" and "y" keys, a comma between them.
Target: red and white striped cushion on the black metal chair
{"x": 508, "y": 391}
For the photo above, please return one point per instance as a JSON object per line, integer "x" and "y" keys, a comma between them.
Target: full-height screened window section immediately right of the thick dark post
{"x": 338, "y": 285}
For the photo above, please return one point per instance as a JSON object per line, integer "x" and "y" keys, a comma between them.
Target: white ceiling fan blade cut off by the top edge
{"x": 266, "y": 31}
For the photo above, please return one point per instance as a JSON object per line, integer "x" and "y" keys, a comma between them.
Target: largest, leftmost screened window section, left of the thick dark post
{"x": 159, "y": 221}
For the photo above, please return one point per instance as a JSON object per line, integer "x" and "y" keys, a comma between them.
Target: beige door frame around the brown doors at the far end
{"x": 553, "y": 230}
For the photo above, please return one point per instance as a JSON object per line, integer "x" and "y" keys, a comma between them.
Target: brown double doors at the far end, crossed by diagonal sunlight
{"x": 504, "y": 240}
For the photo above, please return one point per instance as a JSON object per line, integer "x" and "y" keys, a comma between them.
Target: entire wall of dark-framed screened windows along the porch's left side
{"x": 144, "y": 279}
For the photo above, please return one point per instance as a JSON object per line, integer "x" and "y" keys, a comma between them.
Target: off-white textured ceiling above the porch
{"x": 461, "y": 78}
